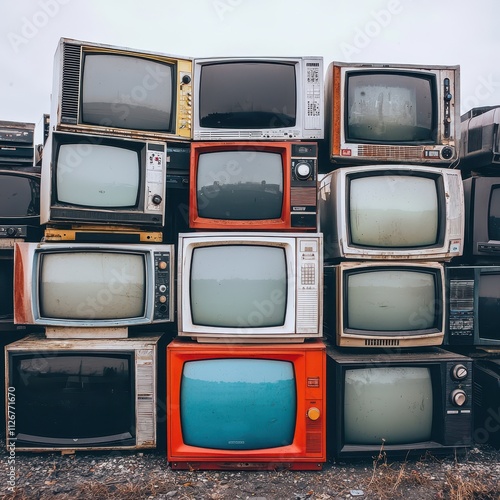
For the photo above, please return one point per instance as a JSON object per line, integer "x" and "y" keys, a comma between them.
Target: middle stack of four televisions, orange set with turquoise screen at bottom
{"x": 246, "y": 375}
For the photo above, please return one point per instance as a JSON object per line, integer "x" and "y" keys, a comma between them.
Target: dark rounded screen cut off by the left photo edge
{"x": 19, "y": 196}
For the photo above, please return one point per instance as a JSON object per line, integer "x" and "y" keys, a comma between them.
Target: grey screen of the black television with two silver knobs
{"x": 390, "y": 404}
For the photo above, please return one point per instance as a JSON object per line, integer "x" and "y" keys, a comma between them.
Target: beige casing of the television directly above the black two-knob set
{"x": 336, "y": 304}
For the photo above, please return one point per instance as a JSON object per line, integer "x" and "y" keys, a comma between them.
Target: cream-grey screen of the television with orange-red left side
{"x": 92, "y": 285}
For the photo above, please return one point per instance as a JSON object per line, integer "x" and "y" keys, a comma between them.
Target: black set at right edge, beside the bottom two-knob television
{"x": 486, "y": 397}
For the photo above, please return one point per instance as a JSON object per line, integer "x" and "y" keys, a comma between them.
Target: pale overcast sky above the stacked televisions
{"x": 379, "y": 31}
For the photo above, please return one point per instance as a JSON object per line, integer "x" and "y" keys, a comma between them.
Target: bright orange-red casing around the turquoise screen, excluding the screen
{"x": 308, "y": 451}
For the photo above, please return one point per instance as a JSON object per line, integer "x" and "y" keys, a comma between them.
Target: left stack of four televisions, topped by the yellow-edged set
{"x": 98, "y": 286}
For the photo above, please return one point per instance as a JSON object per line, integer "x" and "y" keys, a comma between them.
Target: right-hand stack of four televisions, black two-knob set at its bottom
{"x": 392, "y": 215}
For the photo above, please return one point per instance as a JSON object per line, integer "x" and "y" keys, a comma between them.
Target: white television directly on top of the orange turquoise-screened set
{"x": 250, "y": 287}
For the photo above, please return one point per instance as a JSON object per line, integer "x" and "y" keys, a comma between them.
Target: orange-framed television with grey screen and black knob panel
{"x": 253, "y": 185}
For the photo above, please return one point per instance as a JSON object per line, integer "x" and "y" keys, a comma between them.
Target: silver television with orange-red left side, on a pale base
{"x": 92, "y": 289}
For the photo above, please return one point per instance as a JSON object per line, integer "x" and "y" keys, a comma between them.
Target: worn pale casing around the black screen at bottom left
{"x": 147, "y": 378}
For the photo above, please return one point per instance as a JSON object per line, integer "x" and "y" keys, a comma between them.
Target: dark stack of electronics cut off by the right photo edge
{"x": 474, "y": 302}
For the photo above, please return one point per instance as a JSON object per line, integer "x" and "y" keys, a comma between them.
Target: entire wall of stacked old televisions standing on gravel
{"x": 251, "y": 268}
